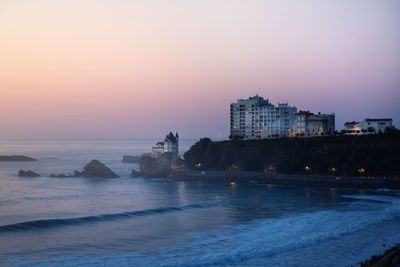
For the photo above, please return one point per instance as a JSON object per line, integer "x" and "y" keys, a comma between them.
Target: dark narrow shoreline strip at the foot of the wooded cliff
{"x": 287, "y": 179}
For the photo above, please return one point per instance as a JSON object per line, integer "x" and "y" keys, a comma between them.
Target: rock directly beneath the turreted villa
{"x": 156, "y": 166}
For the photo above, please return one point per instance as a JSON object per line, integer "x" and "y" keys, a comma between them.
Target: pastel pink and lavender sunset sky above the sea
{"x": 138, "y": 69}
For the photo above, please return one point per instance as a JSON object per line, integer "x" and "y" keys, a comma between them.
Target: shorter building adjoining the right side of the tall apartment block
{"x": 310, "y": 124}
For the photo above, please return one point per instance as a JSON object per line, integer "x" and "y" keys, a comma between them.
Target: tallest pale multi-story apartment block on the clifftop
{"x": 257, "y": 118}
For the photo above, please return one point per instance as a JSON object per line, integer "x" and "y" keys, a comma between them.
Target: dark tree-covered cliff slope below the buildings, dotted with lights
{"x": 366, "y": 155}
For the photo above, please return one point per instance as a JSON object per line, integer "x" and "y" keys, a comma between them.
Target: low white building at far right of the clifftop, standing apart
{"x": 368, "y": 126}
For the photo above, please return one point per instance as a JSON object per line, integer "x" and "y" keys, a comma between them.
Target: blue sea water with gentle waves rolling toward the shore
{"x": 160, "y": 222}
